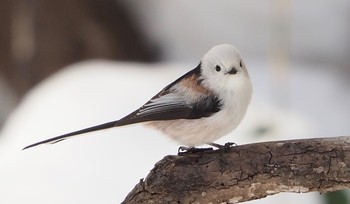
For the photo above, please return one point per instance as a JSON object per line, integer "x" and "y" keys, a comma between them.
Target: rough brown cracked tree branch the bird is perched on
{"x": 248, "y": 172}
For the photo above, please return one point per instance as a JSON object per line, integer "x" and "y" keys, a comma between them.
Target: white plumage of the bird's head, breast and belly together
{"x": 234, "y": 90}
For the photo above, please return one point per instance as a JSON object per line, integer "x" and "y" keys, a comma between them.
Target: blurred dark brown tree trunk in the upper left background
{"x": 39, "y": 37}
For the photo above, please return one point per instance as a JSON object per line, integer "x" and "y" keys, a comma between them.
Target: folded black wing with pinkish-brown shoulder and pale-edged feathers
{"x": 185, "y": 98}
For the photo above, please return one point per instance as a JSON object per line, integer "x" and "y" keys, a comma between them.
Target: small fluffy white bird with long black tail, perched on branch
{"x": 203, "y": 105}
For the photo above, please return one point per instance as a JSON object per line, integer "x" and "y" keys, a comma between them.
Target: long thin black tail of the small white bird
{"x": 71, "y": 134}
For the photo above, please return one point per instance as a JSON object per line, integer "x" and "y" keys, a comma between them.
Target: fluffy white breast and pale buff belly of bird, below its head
{"x": 194, "y": 132}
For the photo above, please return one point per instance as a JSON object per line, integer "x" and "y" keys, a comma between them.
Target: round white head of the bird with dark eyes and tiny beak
{"x": 223, "y": 69}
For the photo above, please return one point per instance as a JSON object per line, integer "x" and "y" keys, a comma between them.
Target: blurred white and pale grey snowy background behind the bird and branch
{"x": 297, "y": 53}
